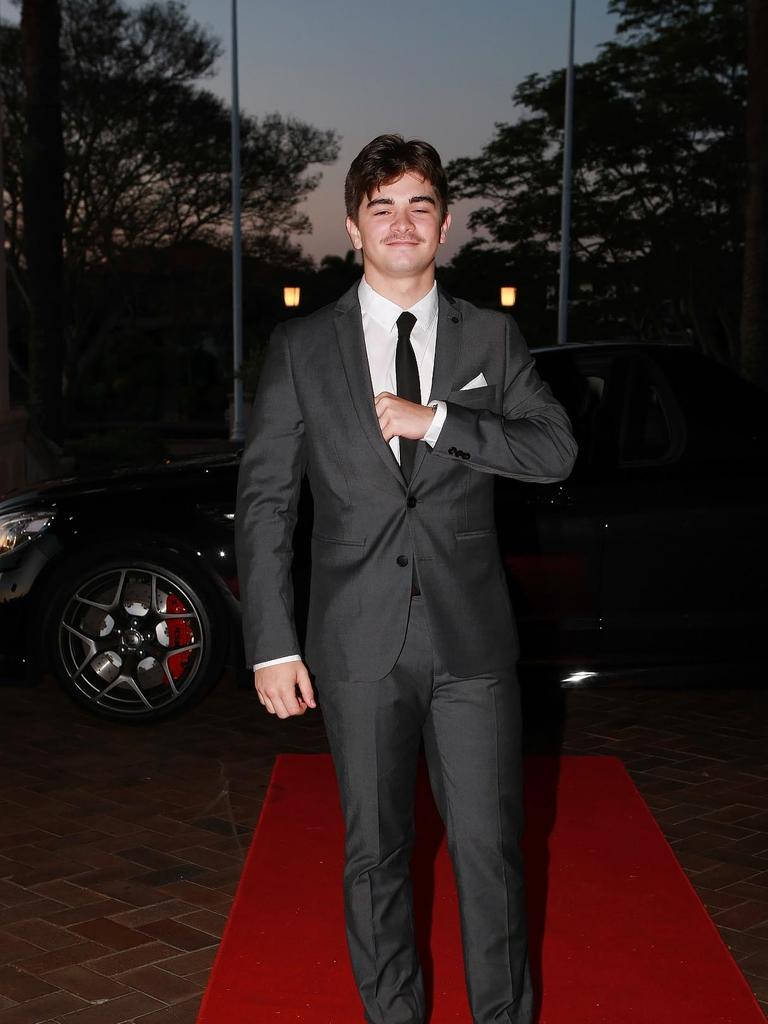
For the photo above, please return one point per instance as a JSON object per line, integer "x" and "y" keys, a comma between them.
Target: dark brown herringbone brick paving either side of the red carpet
{"x": 121, "y": 846}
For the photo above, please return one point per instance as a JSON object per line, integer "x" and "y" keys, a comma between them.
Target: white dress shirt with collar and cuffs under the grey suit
{"x": 380, "y": 331}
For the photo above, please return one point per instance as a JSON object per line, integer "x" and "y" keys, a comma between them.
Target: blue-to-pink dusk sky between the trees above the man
{"x": 442, "y": 70}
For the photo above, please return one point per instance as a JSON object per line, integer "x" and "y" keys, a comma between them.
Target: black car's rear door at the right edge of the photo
{"x": 685, "y": 562}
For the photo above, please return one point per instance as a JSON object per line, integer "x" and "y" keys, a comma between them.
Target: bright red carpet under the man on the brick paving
{"x": 618, "y": 934}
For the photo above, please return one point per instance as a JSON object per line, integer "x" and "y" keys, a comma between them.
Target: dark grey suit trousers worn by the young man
{"x": 472, "y": 733}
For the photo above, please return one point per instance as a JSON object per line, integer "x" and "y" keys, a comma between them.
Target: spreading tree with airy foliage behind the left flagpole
{"x": 148, "y": 157}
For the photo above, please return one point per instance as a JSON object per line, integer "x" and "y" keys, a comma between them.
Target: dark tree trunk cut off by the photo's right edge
{"x": 755, "y": 291}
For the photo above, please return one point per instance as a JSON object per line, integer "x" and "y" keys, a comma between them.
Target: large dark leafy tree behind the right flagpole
{"x": 658, "y": 189}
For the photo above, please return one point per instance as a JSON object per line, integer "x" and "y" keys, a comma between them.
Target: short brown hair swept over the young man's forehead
{"x": 386, "y": 160}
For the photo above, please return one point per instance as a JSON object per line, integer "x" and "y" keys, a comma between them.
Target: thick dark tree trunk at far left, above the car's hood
{"x": 44, "y": 208}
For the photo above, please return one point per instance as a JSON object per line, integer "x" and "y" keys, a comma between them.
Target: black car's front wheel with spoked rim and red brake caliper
{"x": 135, "y": 638}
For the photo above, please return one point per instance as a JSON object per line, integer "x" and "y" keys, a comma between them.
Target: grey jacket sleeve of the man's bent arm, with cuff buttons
{"x": 531, "y": 441}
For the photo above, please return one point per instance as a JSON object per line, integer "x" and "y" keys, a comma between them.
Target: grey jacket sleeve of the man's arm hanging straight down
{"x": 269, "y": 486}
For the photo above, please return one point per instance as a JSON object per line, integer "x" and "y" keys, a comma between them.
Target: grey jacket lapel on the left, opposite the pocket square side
{"x": 353, "y": 348}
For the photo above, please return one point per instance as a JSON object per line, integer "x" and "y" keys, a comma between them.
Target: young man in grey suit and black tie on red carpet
{"x": 401, "y": 404}
